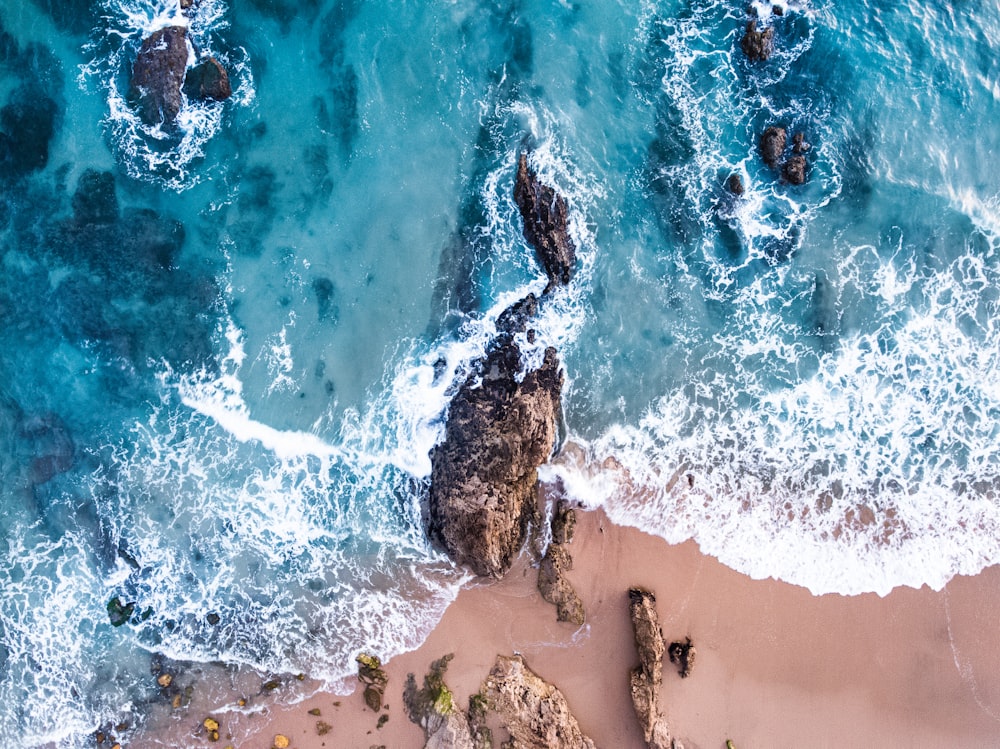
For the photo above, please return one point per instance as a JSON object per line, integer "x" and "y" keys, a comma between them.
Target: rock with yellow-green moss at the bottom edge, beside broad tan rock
{"x": 433, "y": 708}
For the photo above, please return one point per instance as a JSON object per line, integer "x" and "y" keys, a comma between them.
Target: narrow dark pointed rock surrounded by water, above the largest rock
{"x": 546, "y": 224}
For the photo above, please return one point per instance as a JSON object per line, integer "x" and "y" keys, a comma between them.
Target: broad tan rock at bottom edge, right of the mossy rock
{"x": 534, "y": 712}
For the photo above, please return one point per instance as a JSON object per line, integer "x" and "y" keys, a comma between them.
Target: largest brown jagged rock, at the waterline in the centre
{"x": 484, "y": 473}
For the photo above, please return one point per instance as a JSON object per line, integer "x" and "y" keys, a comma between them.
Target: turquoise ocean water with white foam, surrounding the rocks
{"x": 228, "y": 349}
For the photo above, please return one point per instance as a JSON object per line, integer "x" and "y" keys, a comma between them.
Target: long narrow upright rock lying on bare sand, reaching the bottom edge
{"x": 645, "y": 681}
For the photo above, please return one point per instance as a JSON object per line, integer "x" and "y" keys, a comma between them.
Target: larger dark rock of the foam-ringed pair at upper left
{"x": 158, "y": 74}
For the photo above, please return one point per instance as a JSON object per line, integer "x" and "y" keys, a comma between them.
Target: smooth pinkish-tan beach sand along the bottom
{"x": 776, "y": 666}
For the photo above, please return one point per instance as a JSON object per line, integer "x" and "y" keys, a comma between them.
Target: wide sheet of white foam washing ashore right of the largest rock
{"x": 877, "y": 470}
